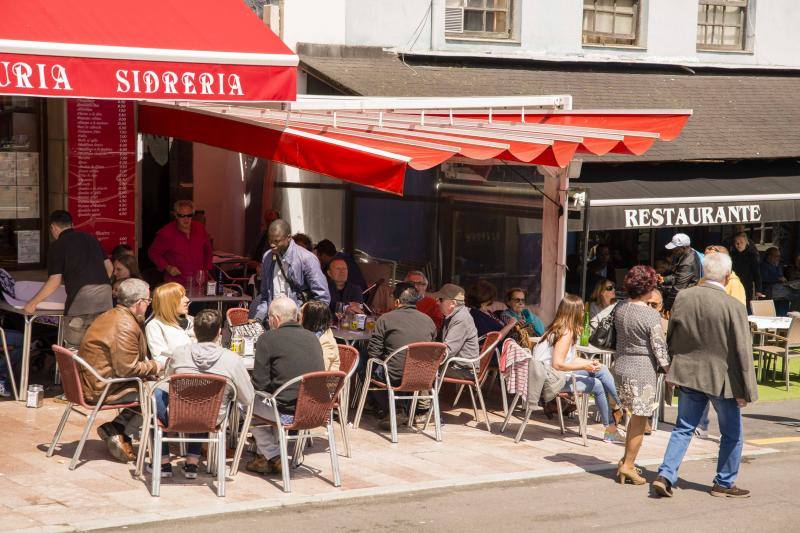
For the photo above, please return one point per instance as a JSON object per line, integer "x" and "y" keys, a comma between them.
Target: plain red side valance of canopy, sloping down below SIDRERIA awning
{"x": 291, "y": 147}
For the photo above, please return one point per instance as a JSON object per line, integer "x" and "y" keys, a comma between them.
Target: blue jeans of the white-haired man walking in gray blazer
{"x": 690, "y": 410}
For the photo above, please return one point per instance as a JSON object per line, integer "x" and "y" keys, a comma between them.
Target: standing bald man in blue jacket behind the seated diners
{"x": 289, "y": 270}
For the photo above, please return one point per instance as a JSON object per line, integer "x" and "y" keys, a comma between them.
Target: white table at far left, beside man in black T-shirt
{"x": 52, "y": 306}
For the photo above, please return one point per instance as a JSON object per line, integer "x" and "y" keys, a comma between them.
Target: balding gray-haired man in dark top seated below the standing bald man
{"x": 284, "y": 352}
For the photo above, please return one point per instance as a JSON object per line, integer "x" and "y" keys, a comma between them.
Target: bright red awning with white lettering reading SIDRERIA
{"x": 209, "y": 50}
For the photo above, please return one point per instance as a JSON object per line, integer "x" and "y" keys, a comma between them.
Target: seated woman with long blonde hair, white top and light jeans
{"x": 557, "y": 348}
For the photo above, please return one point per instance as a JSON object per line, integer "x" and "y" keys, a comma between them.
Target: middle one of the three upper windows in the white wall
{"x": 611, "y": 22}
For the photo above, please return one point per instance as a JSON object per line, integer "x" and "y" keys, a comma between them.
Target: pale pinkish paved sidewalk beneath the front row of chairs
{"x": 41, "y": 493}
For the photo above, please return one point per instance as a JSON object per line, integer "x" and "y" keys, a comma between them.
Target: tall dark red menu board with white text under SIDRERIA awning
{"x": 102, "y": 169}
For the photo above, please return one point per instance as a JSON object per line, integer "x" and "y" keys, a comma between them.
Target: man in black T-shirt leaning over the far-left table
{"x": 76, "y": 259}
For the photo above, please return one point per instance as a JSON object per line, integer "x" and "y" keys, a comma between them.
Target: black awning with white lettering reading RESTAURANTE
{"x": 627, "y": 204}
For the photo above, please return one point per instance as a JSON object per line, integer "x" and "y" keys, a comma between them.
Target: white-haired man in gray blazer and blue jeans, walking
{"x": 712, "y": 361}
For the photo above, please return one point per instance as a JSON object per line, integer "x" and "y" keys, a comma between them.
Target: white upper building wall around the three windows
{"x": 549, "y": 29}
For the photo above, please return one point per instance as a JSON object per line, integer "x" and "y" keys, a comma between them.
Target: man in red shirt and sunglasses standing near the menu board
{"x": 182, "y": 248}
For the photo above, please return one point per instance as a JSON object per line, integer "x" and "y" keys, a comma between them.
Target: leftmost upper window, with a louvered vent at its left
{"x": 478, "y": 18}
